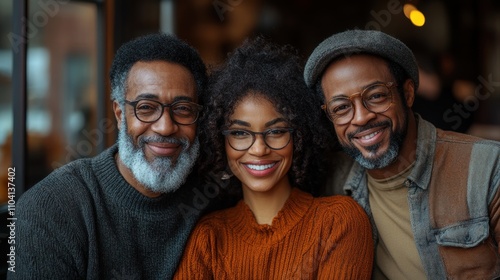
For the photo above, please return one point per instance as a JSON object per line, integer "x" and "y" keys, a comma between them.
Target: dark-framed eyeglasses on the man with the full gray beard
{"x": 181, "y": 112}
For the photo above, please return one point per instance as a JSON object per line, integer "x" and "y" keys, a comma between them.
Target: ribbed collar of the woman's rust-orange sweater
{"x": 245, "y": 225}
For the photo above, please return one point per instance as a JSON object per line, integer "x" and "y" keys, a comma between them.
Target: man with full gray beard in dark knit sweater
{"x": 120, "y": 214}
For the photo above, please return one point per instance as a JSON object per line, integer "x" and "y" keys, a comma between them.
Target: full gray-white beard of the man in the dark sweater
{"x": 160, "y": 175}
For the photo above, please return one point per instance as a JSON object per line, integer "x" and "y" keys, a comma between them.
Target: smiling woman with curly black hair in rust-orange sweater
{"x": 263, "y": 131}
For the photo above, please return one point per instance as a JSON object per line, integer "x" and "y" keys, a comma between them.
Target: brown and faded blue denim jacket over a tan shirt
{"x": 454, "y": 201}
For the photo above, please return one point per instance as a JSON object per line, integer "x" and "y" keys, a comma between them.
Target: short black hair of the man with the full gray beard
{"x": 152, "y": 47}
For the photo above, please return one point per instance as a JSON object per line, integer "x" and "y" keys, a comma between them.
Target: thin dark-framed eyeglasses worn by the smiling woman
{"x": 241, "y": 140}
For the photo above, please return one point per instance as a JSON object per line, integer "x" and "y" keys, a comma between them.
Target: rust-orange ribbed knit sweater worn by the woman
{"x": 310, "y": 238}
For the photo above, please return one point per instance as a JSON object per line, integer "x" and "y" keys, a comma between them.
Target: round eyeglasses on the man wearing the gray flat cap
{"x": 376, "y": 98}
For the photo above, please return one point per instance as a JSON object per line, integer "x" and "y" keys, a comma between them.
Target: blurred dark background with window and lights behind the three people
{"x": 70, "y": 46}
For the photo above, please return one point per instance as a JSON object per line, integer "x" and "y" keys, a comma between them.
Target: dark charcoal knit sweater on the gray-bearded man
{"x": 84, "y": 221}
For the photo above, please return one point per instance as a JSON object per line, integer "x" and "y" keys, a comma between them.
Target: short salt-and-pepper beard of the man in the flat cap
{"x": 383, "y": 160}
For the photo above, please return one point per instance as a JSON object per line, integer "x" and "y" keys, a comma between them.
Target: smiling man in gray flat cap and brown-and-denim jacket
{"x": 432, "y": 195}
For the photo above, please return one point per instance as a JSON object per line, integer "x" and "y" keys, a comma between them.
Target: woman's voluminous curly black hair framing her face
{"x": 273, "y": 72}
